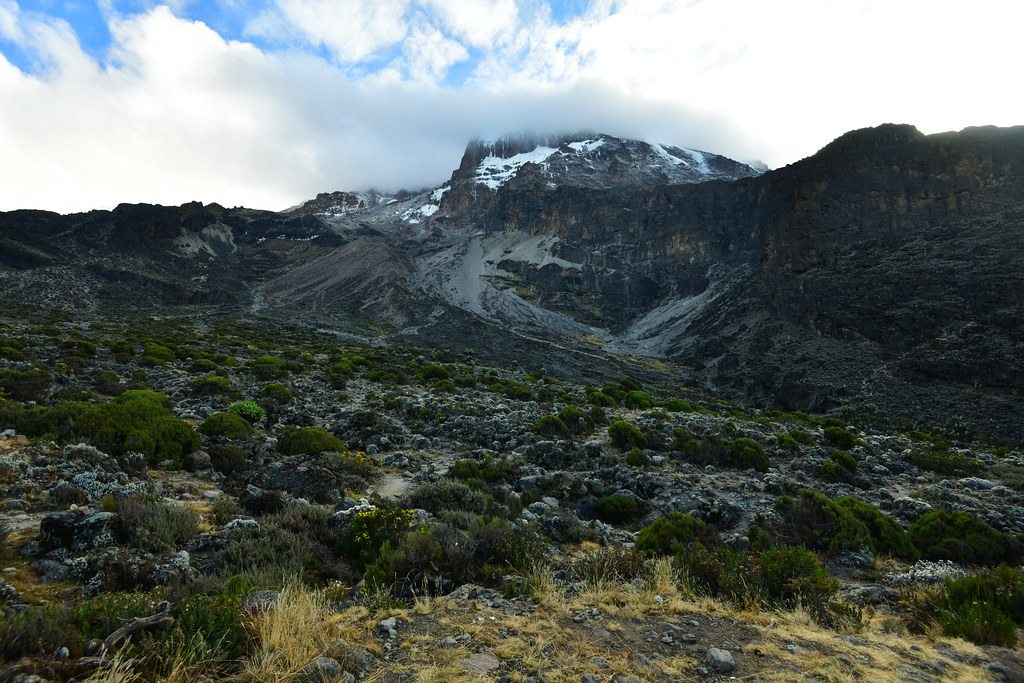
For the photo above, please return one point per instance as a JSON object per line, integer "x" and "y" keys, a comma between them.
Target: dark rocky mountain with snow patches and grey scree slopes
{"x": 883, "y": 275}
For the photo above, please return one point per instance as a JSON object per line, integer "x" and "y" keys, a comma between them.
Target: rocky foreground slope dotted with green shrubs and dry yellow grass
{"x": 188, "y": 497}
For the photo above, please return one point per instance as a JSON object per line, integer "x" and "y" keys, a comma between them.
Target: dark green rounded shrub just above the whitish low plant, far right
{"x": 962, "y": 538}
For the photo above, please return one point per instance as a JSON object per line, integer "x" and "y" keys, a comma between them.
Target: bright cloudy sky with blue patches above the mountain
{"x": 267, "y": 103}
